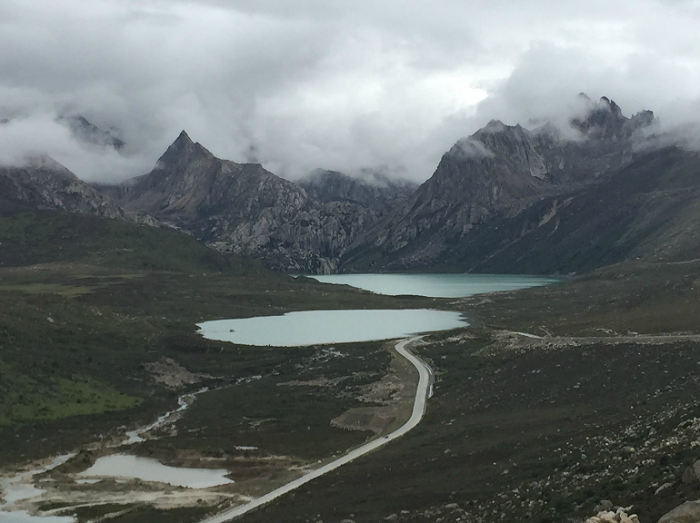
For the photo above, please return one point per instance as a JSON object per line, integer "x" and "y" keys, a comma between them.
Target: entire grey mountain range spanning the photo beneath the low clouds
{"x": 505, "y": 199}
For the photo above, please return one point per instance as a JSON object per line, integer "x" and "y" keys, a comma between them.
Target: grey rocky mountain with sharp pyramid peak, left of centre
{"x": 245, "y": 209}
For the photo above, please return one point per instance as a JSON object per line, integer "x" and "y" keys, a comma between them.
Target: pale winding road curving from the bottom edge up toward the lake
{"x": 424, "y": 380}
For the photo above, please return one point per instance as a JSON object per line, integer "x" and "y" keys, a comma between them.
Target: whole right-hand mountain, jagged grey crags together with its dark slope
{"x": 494, "y": 194}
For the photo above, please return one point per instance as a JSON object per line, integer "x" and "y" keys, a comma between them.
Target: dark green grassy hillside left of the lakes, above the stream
{"x": 86, "y": 304}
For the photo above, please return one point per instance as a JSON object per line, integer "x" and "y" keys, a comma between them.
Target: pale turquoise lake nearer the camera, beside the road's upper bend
{"x": 319, "y": 327}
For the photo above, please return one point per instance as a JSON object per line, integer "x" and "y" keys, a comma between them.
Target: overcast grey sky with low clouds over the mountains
{"x": 344, "y": 85}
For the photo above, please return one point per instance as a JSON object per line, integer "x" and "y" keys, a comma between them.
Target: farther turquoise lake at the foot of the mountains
{"x": 437, "y": 285}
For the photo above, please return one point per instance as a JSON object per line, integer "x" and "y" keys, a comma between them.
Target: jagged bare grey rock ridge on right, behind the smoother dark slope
{"x": 491, "y": 177}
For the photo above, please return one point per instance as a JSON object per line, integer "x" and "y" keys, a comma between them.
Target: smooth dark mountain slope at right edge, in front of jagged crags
{"x": 649, "y": 210}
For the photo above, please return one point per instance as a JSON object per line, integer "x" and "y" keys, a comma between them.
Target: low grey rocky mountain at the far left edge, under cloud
{"x": 43, "y": 183}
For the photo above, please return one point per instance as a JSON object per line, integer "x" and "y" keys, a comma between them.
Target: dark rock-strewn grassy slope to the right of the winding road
{"x": 604, "y": 406}
